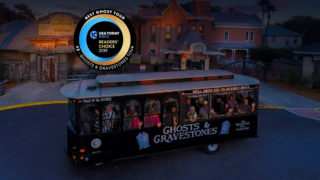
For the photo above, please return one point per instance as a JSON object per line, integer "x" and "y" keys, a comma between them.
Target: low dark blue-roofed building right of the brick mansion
{"x": 278, "y": 37}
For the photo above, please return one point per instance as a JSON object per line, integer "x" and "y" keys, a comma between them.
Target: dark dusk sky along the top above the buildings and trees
{"x": 286, "y": 8}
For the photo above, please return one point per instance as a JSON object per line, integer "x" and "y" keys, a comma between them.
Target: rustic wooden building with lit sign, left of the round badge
{"x": 40, "y": 50}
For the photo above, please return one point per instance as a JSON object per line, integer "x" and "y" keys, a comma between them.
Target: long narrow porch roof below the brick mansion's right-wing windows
{"x": 232, "y": 45}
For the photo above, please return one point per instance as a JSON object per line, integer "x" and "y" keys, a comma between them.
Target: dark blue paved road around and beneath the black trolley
{"x": 32, "y": 141}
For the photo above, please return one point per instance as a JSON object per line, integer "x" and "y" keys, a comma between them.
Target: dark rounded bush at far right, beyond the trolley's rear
{"x": 295, "y": 79}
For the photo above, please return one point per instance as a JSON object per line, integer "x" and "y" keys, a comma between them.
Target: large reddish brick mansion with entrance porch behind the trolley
{"x": 165, "y": 34}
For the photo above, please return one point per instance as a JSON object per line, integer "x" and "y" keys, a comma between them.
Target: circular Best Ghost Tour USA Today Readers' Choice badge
{"x": 104, "y": 39}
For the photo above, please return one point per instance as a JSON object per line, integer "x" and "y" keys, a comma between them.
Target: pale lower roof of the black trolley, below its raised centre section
{"x": 81, "y": 89}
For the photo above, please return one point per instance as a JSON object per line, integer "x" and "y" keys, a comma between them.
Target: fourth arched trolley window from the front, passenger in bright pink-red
{"x": 152, "y": 109}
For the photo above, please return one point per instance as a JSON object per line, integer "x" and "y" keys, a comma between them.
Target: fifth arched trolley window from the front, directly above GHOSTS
{"x": 171, "y": 112}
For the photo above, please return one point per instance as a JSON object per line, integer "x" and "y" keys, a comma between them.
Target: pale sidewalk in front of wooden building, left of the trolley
{"x": 30, "y": 92}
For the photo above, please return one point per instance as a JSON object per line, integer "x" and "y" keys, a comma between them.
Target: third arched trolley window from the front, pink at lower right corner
{"x": 132, "y": 115}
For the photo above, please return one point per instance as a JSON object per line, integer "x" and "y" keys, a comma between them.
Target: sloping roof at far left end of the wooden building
{"x": 14, "y": 35}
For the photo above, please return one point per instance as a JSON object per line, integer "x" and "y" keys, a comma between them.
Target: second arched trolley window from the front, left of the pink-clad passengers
{"x": 110, "y": 117}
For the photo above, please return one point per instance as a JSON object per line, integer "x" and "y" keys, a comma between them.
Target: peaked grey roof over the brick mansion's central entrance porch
{"x": 187, "y": 38}
